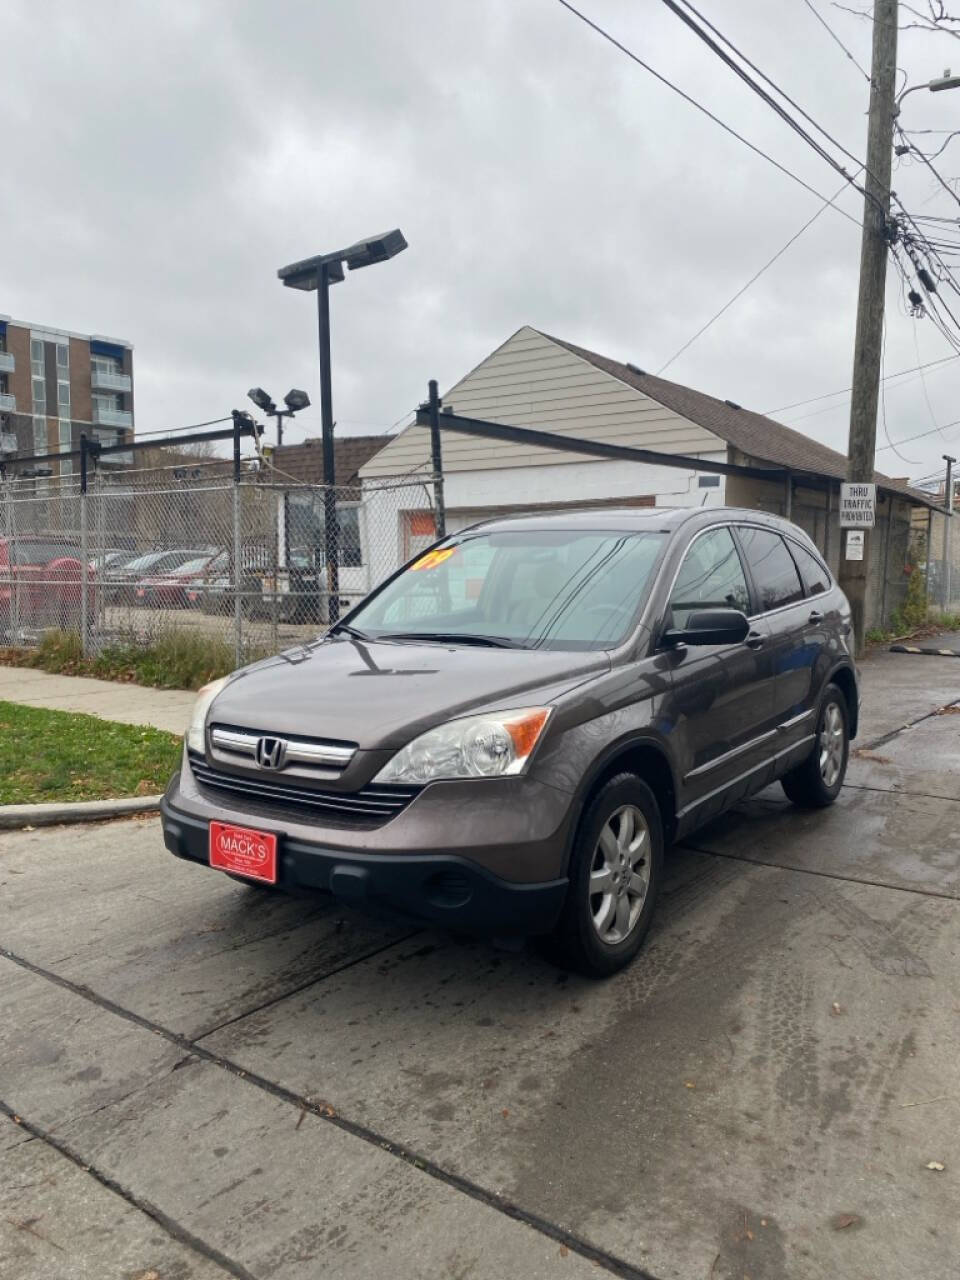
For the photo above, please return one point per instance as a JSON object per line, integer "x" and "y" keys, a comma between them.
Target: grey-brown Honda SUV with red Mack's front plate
{"x": 508, "y": 734}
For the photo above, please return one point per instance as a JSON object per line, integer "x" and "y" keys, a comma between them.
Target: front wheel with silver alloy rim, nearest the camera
{"x": 597, "y": 935}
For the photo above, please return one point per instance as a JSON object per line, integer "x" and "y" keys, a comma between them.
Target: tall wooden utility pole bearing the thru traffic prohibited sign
{"x": 874, "y": 273}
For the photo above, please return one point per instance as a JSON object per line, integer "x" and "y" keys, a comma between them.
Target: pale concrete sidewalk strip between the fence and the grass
{"x": 131, "y": 705}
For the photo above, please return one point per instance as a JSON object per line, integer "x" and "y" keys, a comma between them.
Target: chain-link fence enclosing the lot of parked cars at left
{"x": 190, "y": 550}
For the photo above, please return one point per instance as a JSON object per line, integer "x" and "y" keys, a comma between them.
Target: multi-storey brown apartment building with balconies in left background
{"x": 56, "y": 385}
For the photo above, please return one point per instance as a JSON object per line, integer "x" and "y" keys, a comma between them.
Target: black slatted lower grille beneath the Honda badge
{"x": 369, "y": 807}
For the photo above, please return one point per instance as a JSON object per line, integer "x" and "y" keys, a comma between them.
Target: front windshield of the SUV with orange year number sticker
{"x": 537, "y": 589}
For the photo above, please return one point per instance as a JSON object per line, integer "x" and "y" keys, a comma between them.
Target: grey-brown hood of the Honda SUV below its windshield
{"x": 381, "y": 696}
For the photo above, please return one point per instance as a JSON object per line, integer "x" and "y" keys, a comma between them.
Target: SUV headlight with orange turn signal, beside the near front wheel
{"x": 478, "y": 747}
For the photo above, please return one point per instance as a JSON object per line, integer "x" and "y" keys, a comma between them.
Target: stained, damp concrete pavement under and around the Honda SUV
{"x": 211, "y": 1081}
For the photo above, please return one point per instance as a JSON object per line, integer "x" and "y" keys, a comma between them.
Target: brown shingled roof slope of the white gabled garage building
{"x": 755, "y": 435}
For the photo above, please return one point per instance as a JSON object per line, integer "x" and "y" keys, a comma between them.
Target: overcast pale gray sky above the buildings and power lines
{"x": 163, "y": 161}
